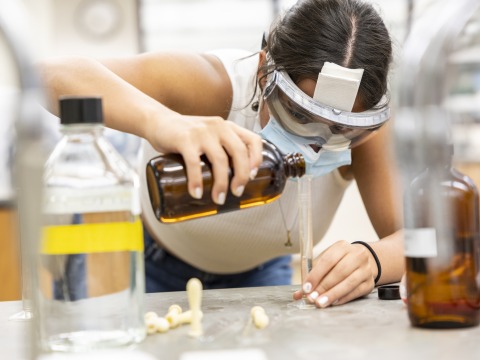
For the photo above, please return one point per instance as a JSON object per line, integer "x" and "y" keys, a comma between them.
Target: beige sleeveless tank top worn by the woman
{"x": 241, "y": 240}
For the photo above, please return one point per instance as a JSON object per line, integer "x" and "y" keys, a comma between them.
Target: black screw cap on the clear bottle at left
{"x": 80, "y": 110}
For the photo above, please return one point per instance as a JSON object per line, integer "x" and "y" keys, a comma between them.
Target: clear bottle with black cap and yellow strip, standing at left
{"x": 90, "y": 283}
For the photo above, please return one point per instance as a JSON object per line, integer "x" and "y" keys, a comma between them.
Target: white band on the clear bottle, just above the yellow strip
{"x": 69, "y": 201}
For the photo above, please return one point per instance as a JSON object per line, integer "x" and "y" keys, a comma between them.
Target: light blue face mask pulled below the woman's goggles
{"x": 318, "y": 163}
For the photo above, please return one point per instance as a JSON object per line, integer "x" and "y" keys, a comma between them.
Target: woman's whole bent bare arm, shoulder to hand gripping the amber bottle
{"x": 154, "y": 89}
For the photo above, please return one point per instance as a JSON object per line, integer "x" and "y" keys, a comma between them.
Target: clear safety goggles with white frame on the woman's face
{"x": 327, "y": 127}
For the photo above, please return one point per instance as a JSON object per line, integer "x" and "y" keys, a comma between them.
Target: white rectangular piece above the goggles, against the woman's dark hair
{"x": 337, "y": 86}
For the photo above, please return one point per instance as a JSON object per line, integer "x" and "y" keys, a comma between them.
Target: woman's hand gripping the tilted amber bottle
{"x": 219, "y": 140}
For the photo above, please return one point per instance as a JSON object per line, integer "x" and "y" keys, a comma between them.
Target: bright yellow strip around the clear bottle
{"x": 92, "y": 238}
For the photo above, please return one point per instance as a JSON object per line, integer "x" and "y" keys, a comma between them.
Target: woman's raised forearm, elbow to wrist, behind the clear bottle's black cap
{"x": 125, "y": 107}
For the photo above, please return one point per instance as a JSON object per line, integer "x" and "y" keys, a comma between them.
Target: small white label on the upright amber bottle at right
{"x": 420, "y": 242}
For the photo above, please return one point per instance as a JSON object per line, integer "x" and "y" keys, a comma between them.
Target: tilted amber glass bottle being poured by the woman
{"x": 171, "y": 201}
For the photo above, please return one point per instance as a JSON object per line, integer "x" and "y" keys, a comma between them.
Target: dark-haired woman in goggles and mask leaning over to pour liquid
{"x": 333, "y": 54}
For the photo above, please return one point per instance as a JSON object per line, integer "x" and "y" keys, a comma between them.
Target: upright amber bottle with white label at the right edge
{"x": 441, "y": 248}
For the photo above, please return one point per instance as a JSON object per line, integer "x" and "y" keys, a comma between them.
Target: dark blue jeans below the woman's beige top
{"x": 165, "y": 272}
